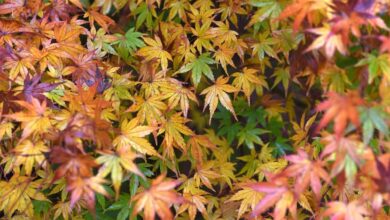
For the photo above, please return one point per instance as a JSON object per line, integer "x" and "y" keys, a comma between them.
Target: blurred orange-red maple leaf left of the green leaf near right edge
{"x": 340, "y": 108}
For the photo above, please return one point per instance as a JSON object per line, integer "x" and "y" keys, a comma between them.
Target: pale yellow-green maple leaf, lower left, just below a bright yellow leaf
{"x": 114, "y": 164}
